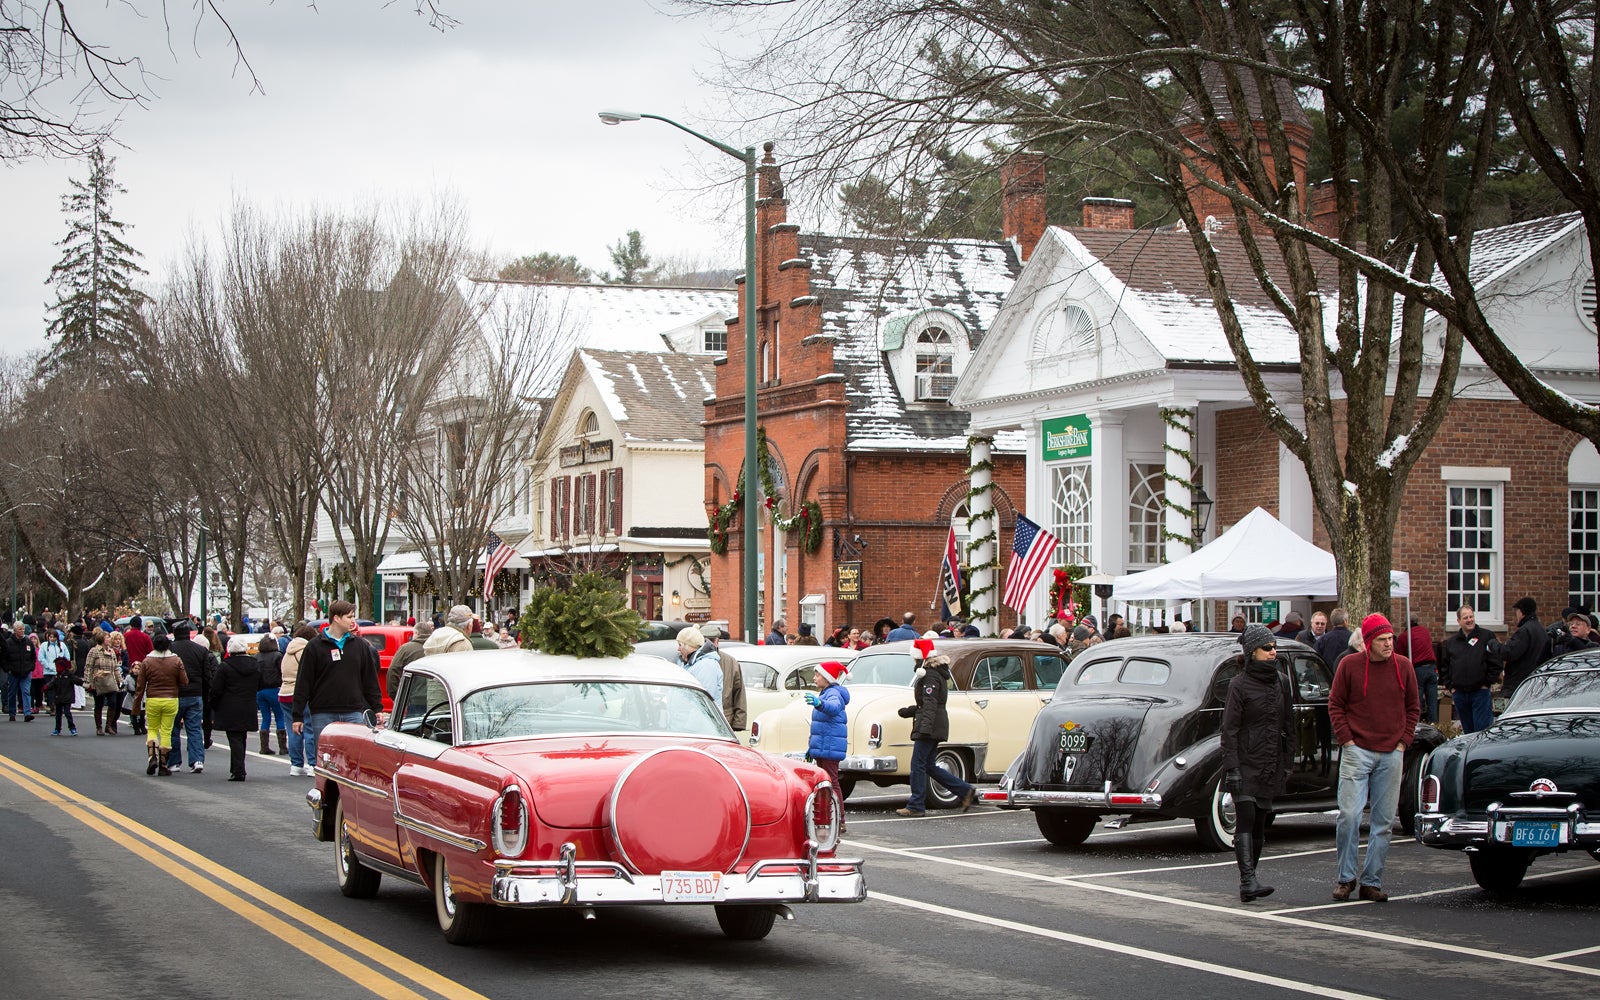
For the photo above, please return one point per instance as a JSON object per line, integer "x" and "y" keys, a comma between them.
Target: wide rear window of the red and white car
{"x": 554, "y": 708}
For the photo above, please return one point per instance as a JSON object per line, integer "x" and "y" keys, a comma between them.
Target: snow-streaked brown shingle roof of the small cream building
{"x": 654, "y": 396}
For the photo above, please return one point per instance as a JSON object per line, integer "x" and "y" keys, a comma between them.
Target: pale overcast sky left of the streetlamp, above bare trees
{"x": 366, "y": 102}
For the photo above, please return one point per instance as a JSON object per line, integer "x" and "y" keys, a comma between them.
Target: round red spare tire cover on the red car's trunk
{"x": 679, "y": 810}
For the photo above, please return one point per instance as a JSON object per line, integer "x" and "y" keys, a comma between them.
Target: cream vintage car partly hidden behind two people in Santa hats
{"x": 998, "y": 689}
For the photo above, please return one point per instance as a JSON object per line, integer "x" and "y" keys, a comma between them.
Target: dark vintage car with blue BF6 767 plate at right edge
{"x": 1526, "y": 786}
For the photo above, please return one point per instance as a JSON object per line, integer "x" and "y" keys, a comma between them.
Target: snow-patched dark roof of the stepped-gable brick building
{"x": 868, "y": 284}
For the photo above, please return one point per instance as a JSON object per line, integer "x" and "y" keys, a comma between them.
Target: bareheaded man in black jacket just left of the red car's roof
{"x": 337, "y": 681}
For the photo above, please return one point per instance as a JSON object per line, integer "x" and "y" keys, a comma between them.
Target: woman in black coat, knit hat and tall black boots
{"x": 1257, "y": 738}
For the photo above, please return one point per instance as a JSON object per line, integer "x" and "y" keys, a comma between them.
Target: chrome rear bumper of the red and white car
{"x": 572, "y": 882}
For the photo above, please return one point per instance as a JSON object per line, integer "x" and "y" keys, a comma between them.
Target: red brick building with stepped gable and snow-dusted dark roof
{"x": 860, "y": 346}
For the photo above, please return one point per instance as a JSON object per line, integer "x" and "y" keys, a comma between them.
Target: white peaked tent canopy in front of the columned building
{"x": 1257, "y": 558}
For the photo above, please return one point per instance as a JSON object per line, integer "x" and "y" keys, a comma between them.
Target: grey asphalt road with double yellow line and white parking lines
{"x": 122, "y": 886}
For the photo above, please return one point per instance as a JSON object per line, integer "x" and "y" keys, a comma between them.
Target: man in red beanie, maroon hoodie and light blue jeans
{"x": 1374, "y": 708}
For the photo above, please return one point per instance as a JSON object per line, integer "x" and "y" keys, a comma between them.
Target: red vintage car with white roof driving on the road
{"x": 524, "y": 780}
